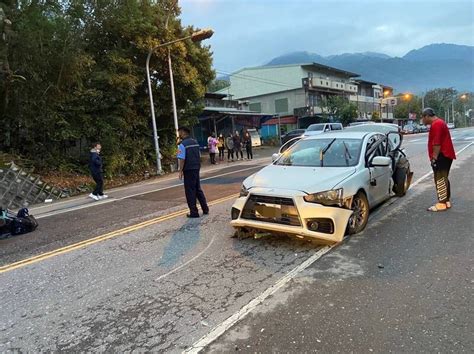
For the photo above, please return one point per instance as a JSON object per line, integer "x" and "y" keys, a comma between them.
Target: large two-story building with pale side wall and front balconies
{"x": 296, "y": 92}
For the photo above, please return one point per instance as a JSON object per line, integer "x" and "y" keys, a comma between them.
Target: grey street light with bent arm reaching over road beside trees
{"x": 195, "y": 37}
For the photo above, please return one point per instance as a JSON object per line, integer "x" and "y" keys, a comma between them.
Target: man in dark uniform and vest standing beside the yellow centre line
{"x": 189, "y": 158}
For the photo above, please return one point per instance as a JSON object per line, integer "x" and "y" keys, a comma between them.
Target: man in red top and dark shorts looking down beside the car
{"x": 441, "y": 154}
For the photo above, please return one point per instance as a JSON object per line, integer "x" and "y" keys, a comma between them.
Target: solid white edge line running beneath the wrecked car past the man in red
{"x": 220, "y": 329}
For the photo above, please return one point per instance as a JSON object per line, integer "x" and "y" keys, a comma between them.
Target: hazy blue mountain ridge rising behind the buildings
{"x": 433, "y": 66}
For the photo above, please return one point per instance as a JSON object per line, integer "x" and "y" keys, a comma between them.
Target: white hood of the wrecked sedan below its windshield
{"x": 306, "y": 179}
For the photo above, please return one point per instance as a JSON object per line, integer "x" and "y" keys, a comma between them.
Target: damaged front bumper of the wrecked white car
{"x": 306, "y": 213}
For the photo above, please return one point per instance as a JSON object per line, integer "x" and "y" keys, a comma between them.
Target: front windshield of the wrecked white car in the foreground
{"x": 342, "y": 152}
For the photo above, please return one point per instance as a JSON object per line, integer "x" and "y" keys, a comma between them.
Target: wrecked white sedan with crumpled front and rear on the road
{"x": 322, "y": 186}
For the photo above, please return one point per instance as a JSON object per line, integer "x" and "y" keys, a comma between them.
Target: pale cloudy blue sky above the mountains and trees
{"x": 250, "y": 33}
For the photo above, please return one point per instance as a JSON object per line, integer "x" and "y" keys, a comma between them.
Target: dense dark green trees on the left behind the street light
{"x": 73, "y": 72}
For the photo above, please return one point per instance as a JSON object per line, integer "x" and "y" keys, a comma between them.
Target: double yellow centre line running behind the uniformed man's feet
{"x": 104, "y": 237}
